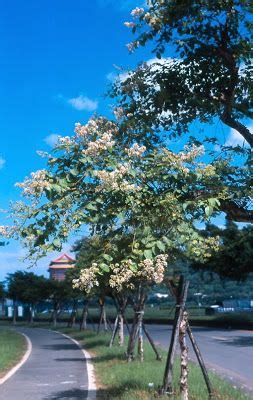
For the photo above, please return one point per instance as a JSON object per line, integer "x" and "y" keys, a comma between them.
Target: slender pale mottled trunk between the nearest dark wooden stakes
{"x": 184, "y": 357}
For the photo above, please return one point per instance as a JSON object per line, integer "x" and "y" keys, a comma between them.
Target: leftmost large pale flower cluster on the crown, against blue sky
{"x": 35, "y": 185}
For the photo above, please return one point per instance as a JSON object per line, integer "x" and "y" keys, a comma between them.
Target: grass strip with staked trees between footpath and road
{"x": 119, "y": 380}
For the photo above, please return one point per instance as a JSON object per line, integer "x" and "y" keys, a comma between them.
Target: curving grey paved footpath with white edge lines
{"x": 56, "y": 369}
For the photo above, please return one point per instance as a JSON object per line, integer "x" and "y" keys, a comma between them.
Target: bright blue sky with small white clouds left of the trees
{"x": 56, "y": 58}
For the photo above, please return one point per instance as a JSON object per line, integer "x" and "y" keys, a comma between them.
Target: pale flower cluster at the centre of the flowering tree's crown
{"x": 114, "y": 180}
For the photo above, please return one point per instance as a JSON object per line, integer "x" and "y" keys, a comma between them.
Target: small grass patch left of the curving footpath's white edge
{"x": 12, "y": 347}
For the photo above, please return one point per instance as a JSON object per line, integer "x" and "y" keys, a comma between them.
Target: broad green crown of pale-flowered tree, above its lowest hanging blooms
{"x": 91, "y": 179}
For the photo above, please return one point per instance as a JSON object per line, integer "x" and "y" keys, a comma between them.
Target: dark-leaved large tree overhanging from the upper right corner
{"x": 205, "y": 76}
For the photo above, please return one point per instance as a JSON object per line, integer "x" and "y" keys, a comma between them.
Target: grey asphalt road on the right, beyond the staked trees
{"x": 228, "y": 352}
